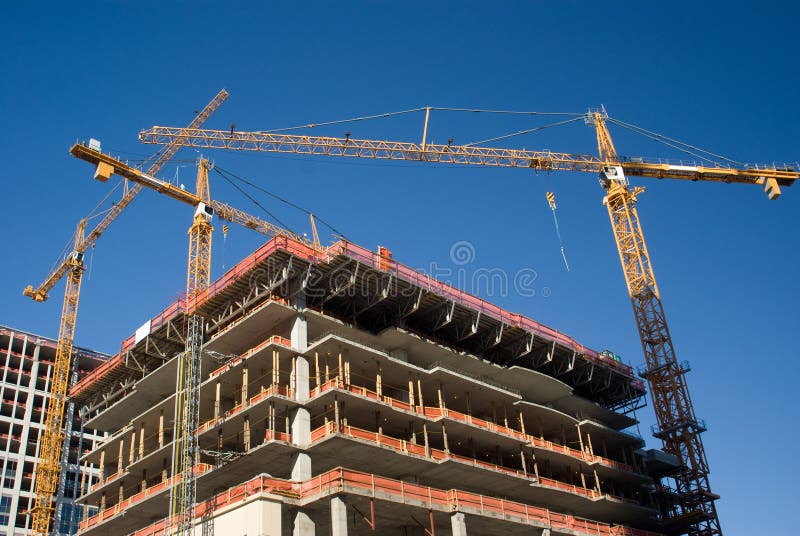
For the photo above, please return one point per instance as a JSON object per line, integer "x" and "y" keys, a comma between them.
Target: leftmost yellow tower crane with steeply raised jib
{"x": 48, "y": 469}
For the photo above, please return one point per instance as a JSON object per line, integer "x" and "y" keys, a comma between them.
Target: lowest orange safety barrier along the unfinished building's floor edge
{"x": 453, "y": 500}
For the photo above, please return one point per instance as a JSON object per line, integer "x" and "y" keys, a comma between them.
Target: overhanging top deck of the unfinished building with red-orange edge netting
{"x": 373, "y": 292}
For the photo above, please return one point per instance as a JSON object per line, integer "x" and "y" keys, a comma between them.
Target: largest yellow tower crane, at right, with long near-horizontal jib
{"x": 692, "y": 511}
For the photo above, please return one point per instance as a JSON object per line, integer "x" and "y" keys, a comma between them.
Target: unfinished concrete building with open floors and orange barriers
{"x": 345, "y": 393}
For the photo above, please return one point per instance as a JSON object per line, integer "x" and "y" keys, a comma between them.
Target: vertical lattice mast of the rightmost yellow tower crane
{"x": 694, "y": 511}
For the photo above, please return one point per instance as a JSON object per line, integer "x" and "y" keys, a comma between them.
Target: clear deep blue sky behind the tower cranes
{"x": 721, "y": 75}
